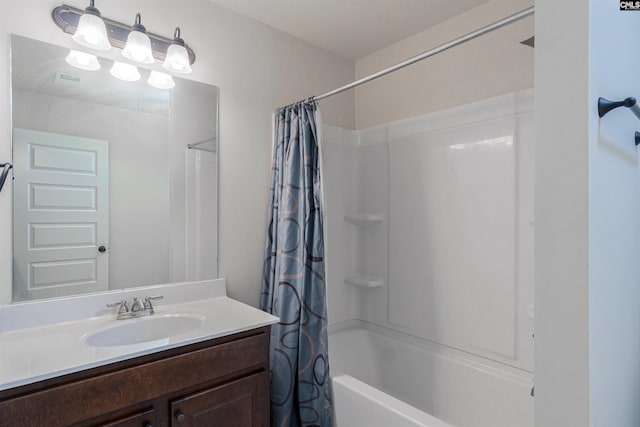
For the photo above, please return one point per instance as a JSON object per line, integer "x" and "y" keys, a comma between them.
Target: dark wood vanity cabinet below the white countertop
{"x": 222, "y": 382}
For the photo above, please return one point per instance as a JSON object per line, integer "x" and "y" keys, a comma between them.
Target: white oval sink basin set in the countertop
{"x": 144, "y": 329}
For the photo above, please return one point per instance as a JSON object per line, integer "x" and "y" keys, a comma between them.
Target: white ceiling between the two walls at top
{"x": 350, "y": 28}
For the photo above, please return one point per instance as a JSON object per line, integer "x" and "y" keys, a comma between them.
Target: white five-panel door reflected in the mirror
{"x": 61, "y": 214}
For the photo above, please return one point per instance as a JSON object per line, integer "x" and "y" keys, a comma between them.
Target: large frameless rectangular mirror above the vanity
{"x": 115, "y": 182}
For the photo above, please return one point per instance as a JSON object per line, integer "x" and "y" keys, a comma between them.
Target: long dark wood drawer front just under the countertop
{"x": 81, "y": 400}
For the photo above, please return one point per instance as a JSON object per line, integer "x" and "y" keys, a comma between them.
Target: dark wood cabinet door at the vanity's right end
{"x": 241, "y": 403}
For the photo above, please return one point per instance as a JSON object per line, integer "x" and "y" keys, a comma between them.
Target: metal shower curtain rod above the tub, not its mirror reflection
{"x": 460, "y": 40}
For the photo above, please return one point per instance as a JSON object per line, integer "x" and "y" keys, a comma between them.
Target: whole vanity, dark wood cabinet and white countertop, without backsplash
{"x": 214, "y": 374}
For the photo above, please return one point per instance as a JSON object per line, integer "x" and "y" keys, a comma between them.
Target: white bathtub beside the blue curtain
{"x": 384, "y": 378}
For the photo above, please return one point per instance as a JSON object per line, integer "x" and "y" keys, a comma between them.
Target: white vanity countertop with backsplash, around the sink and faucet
{"x": 46, "y": 339}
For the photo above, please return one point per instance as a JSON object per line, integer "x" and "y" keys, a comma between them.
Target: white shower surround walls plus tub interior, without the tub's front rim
{"x": 449, "y": 327}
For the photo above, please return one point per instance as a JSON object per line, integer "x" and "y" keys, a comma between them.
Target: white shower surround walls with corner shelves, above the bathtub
{"x": 453, "y": 242}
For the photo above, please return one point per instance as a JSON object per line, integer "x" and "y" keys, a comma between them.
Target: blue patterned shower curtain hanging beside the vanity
{"x": 293, "y": 285}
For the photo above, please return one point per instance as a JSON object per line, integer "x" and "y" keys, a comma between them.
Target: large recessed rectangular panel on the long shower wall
{"x": 452, "y": 241}
